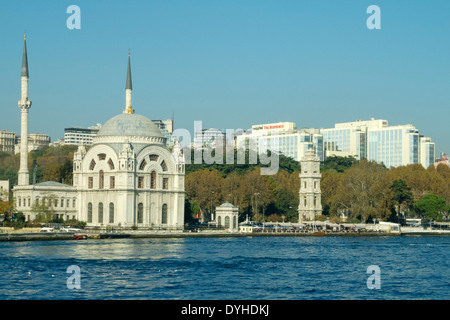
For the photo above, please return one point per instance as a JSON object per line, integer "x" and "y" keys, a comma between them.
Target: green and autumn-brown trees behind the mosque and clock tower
{"x": 358, "y": 190}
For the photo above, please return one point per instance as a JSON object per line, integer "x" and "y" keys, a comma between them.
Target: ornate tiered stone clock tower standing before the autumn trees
{"x": 310, "y": 204}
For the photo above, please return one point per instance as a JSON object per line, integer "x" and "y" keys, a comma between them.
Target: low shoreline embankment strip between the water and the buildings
{"x": 17, "y": 236}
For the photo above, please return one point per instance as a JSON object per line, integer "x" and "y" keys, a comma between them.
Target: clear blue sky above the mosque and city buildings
{"x": 229, "y": 63}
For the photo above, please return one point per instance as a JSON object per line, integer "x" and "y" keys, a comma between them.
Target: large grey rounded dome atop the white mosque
{"x": 131, "y": 125}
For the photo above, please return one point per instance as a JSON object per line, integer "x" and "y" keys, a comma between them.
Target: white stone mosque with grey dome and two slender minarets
{"x": 128, "y": 177}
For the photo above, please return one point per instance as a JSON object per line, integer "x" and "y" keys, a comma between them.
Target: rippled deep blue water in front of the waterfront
{"x": 280, "y": 268}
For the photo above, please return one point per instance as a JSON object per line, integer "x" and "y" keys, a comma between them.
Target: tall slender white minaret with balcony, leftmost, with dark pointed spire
{"x": 24, "y": 105}
